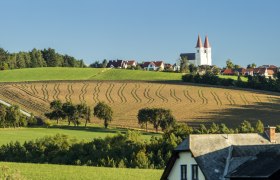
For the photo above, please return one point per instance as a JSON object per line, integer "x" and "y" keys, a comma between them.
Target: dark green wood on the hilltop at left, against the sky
{"x": 37, "y": 58}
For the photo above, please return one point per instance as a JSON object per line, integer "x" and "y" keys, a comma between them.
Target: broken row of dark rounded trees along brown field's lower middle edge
{"x": 158, "y": 117}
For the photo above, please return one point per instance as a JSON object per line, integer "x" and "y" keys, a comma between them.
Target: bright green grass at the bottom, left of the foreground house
{"x": 52, "y": 172}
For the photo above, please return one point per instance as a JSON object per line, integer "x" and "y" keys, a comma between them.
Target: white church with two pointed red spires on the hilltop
{"x": 203, "y": 53}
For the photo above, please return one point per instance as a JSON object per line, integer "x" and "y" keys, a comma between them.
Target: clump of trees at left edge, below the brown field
{"x": 12, "y": 117}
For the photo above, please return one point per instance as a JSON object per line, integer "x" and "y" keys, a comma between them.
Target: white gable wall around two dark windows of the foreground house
{"x": 184, "y": 158}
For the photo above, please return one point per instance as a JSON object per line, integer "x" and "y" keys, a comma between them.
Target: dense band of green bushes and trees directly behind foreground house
{"x": 121, "y": 150}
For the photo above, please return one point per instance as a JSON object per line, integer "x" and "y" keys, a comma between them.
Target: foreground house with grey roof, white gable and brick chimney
{"x": 226, "y": 157}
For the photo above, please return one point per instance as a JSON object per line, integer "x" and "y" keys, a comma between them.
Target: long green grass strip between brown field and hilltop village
{"x": 59, "y": 73}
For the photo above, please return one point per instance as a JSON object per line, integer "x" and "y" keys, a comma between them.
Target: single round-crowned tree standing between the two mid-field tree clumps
{"x": 103, "y": 111}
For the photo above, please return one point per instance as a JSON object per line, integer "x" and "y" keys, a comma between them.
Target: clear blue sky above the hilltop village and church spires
{"x": 245, "y": 31}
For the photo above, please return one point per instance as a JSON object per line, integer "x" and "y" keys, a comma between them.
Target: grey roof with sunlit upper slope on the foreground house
{"x": 212, "y": 151}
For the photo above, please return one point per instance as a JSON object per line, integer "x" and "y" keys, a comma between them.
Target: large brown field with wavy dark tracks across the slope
{"x": 189, "y": 103}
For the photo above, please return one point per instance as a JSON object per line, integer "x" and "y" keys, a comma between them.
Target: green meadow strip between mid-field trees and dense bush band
{"x": 81, "y": 133}
